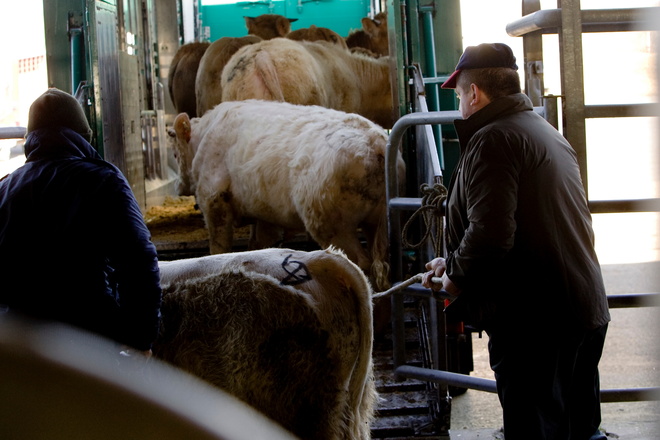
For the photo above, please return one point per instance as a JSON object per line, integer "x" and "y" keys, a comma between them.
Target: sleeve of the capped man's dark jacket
{"x": 491, "y": 195}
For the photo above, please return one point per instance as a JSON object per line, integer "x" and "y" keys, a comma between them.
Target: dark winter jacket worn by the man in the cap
{"x": 519, "y": 233}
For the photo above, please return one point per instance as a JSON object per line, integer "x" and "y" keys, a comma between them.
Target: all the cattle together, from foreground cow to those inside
{"x": 283, "y": 130}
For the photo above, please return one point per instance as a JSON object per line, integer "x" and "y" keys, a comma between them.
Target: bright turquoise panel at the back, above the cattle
{"x": 339, "y": 15}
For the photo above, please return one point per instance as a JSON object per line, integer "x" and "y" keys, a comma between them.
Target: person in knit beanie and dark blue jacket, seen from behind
{"x": 74, "y": 247}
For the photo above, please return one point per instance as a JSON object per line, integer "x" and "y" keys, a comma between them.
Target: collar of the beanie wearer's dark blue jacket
{"x": 50, "y": 143}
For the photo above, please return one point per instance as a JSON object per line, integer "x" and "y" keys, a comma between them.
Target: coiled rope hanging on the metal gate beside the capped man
{"x": 431, "y": 212}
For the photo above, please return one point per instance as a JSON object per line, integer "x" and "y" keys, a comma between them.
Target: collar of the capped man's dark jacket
{"x": 500, "y": 107}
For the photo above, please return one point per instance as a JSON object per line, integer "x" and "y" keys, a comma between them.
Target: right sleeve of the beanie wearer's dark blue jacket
{"x": 135, "y": 262}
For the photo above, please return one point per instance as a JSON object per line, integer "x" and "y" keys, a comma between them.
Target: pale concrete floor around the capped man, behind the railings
{"x": 630, "y": 360}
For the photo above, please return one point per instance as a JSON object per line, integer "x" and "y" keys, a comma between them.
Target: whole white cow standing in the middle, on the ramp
{"x": 289, "y": 166}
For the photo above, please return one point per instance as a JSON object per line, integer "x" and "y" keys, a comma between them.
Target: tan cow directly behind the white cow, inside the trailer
{"x": 311, "y": 73}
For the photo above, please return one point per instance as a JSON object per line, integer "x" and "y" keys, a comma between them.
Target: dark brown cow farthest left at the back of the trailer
{"x": 181, "y": 77}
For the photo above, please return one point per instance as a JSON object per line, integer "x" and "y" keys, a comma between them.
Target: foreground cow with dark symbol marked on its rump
{"x": 288, "y": 332}
